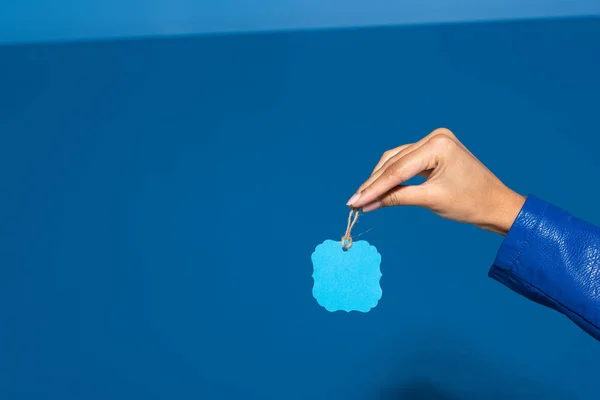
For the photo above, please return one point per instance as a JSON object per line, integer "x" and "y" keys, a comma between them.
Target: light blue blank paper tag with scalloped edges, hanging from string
{"x": 346, "y": 280}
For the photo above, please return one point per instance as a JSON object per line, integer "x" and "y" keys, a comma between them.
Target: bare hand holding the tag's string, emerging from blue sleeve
{"x": 457, "y": 187}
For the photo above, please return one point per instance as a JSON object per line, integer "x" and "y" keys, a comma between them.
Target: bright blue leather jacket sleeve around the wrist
{"x": 553, "y": 258}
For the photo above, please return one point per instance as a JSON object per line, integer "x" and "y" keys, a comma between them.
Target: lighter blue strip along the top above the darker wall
{"x": 47, "y": 21}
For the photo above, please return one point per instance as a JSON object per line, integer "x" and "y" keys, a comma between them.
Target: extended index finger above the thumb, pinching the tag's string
{"x": 419, "y": 160}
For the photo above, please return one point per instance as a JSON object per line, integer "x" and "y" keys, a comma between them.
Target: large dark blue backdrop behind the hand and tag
{"x": 161, "y": 199}
